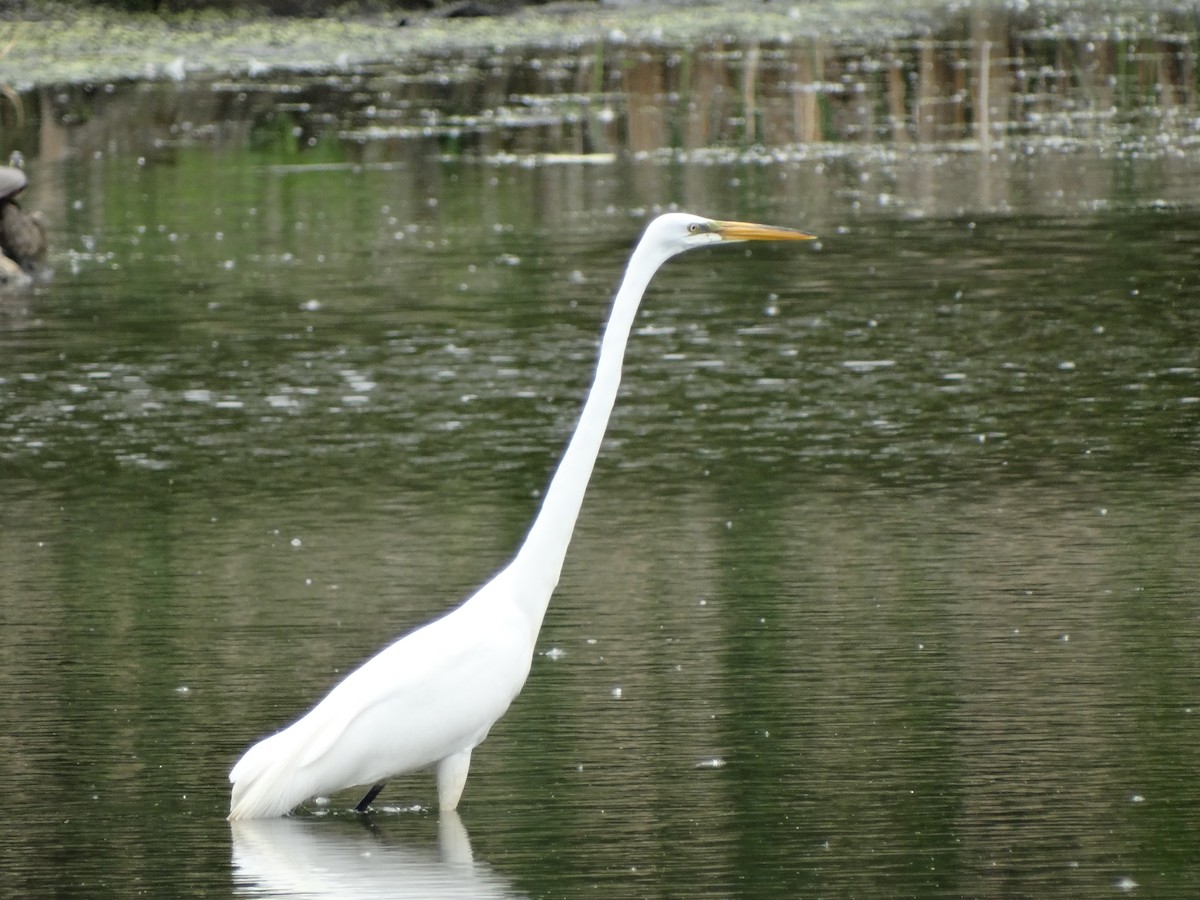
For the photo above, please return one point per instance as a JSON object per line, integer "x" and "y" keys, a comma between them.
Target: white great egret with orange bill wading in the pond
{"x": 431, "y": 698}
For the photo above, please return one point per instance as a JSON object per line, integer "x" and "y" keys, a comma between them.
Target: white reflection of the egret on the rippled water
{"x": 315, "y": 859}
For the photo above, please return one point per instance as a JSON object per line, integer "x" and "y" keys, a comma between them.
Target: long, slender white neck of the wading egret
{"x": 539, "y": 562}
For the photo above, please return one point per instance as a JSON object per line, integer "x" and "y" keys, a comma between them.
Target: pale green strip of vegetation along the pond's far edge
{"x": 52, "y": 43}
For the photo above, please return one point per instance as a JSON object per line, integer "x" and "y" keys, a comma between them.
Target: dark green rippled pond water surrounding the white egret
{"x": 887, "y": 580}
